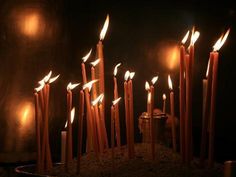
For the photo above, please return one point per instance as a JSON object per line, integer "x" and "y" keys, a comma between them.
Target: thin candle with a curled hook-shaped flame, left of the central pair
{"x": 117, "y": 116}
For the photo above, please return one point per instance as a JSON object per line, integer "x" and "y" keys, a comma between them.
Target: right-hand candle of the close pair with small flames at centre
{"x": 131, "y": 113}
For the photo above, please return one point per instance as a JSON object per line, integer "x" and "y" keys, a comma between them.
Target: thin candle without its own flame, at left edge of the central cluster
{"x": 80, "y": 129}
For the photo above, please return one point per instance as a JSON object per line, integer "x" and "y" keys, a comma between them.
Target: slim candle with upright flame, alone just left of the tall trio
{"x": 172, "y": 110}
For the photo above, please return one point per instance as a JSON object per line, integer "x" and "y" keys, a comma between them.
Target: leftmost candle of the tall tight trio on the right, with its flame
{"x": 182, "y": 95}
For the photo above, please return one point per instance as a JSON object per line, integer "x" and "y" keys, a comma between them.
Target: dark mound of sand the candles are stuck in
{"x": 166, "y": 164}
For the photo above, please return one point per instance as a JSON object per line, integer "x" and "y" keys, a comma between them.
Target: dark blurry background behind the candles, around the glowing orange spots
{"x": 137, "y": 35}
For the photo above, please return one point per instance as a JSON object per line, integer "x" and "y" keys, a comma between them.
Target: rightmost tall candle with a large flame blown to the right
{"x": 216, "y": 48}
